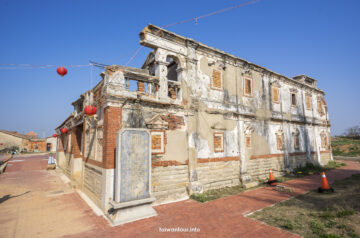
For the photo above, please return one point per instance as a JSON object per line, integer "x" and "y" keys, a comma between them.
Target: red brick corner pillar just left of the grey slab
{"x": 112, "y": 124}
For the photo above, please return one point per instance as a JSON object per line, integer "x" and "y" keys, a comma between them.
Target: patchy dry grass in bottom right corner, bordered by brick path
{"x": 319, "y": 215}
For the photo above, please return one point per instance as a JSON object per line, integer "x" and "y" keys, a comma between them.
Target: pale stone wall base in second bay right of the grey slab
{"x": 219, "y": 174}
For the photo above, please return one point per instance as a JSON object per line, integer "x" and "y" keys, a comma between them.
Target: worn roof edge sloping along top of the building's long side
{"x": 149, "y": 29}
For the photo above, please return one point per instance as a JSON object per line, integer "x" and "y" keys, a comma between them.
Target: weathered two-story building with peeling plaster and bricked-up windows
{"x": 215, "y": 120}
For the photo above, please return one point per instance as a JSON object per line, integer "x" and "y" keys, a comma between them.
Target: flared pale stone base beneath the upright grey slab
{"x": 131, "y": 211}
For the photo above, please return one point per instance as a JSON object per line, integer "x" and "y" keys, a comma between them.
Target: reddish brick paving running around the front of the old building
{"x": 73, "y": 218}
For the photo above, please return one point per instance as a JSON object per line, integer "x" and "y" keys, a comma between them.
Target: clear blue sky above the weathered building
{"x": 319, "y": 38}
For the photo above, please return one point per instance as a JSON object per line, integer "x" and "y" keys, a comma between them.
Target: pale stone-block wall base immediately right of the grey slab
{"x": 169, "y": 183}
